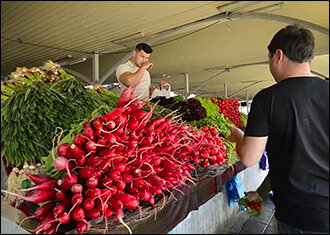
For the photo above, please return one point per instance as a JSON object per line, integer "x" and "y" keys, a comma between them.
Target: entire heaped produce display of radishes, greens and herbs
{"x": 82, "y": 154}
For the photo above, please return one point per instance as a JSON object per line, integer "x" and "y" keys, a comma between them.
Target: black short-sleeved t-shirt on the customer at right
{"x": 294, "y": 114}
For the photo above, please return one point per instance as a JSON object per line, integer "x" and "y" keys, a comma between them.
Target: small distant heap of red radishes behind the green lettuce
{"x": 229, "y": 108}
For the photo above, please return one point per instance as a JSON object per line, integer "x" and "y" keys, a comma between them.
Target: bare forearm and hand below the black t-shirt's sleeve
{"x": 249, "y": 149}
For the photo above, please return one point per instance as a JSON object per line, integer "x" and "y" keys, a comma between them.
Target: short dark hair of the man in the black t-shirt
{"x": 296, "y": 42}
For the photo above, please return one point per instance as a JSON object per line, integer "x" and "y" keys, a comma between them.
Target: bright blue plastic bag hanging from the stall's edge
{"x": 234, "y": 190}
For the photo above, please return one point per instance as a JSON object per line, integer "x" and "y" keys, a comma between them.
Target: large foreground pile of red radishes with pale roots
{"x": 121, "y": 159}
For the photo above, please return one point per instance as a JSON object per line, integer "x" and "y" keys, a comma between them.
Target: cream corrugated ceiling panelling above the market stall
{"x": 88, "y": 26}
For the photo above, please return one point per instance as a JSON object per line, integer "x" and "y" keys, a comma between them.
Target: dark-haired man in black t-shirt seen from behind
{"x": 290, "y": 120}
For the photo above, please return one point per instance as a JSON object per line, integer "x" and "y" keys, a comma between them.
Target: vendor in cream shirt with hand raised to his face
{"x": 135, "y": 72}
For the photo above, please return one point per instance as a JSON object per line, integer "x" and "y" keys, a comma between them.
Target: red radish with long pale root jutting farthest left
{"x": 37, "y": 196}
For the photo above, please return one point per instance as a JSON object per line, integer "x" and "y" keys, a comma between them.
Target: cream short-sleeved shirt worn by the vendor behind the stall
{"x": 143, "y": 87}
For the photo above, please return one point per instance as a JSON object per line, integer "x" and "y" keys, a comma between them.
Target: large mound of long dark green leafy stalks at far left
{"x": 29, "y": 117}
